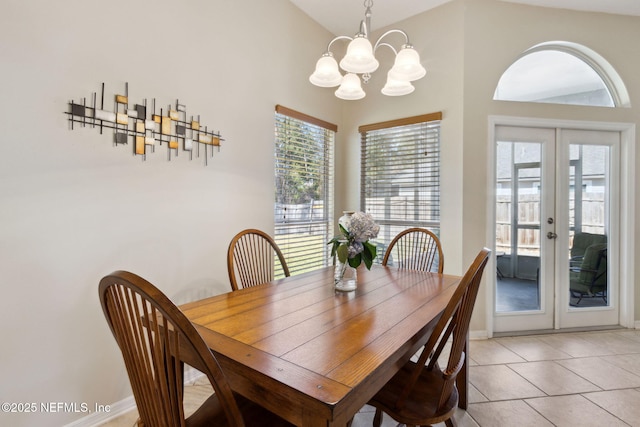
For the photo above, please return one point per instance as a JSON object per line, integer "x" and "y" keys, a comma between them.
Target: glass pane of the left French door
{"x": 518, "y": 226}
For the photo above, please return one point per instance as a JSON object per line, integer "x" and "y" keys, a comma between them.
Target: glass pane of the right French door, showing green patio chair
{"x": 588, "y": 213}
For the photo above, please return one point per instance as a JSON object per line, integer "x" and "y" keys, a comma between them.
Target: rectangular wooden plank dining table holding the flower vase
{"x": 315, "y": 356}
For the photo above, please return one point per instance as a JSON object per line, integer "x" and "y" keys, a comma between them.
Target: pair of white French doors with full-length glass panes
{"x": 556, "y": 208}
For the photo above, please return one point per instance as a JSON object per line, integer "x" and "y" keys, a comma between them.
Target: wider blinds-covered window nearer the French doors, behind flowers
{"x": 400, "y": 175}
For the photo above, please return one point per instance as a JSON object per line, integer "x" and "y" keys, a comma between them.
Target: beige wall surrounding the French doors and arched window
{"x": 495, "y": 34}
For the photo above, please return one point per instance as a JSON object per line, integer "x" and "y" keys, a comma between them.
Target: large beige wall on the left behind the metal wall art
{"x": 74, "y": 208}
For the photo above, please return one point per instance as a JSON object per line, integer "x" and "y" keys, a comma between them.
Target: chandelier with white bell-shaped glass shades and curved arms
{"x": 360, "y": 60}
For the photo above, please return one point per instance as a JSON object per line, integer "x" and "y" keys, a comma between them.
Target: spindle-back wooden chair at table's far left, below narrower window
{"x": 250, "y": 259}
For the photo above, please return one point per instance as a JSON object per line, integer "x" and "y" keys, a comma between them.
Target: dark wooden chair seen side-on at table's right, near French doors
{"x": 422, "y": 393}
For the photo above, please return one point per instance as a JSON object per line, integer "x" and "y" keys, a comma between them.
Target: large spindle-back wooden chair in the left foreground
{"x": 153, "y": 335}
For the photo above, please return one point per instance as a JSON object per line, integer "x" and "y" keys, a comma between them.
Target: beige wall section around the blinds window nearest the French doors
{"x": 438, "y": 35}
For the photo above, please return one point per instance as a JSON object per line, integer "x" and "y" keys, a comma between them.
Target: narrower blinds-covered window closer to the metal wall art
{"x": 303, "y": 207}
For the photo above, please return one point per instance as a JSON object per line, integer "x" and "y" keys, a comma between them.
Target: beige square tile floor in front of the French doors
{"x": 566, "y": 379}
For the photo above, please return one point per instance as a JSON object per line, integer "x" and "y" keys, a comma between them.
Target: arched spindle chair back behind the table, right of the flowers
{"x": 415, "y": 249}
